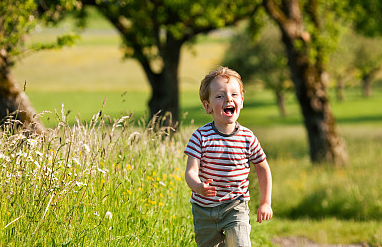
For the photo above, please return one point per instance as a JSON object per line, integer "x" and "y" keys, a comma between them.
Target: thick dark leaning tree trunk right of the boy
{"x": 309, "y": 80}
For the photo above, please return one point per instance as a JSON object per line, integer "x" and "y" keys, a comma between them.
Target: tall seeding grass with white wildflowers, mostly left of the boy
{"x": 104, "y": 183}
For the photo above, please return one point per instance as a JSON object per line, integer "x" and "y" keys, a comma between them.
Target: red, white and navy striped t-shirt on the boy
{"x": 225, "y": 159}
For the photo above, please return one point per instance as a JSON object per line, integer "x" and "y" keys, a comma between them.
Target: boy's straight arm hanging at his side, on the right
{"x": 265, "y": 182}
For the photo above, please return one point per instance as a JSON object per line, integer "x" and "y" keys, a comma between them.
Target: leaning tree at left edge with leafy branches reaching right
{"x": 18, "y": 19}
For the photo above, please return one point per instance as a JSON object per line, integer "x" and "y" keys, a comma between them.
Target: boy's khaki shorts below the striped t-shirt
{"x": 224, "y": 225}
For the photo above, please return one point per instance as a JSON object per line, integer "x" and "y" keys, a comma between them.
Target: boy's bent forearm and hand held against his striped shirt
{"x": 192, "y": 178}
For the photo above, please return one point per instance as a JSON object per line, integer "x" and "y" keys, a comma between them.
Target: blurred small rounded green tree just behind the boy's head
{"x": 262, "y": 60}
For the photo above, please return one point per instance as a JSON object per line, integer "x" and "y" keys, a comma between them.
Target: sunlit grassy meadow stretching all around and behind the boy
{"x": 100, "y": 176}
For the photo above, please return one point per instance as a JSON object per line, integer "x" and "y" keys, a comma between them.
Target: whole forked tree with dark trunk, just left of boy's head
{"x": 154, "y": 31}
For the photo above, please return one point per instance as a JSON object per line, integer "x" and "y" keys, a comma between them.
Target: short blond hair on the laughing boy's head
{"x": 225, "y": 72}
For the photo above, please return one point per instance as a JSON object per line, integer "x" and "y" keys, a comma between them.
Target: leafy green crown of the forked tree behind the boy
{"x": 146, "y": 27}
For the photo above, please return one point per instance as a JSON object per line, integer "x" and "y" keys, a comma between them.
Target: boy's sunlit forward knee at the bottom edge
{"x": 238, "y": 236}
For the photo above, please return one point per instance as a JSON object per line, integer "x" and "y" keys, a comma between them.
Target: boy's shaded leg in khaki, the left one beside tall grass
{"x": 206, "y": 232}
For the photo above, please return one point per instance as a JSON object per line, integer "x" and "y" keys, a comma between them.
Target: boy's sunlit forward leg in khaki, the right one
{"x": 237, "y": 228}
